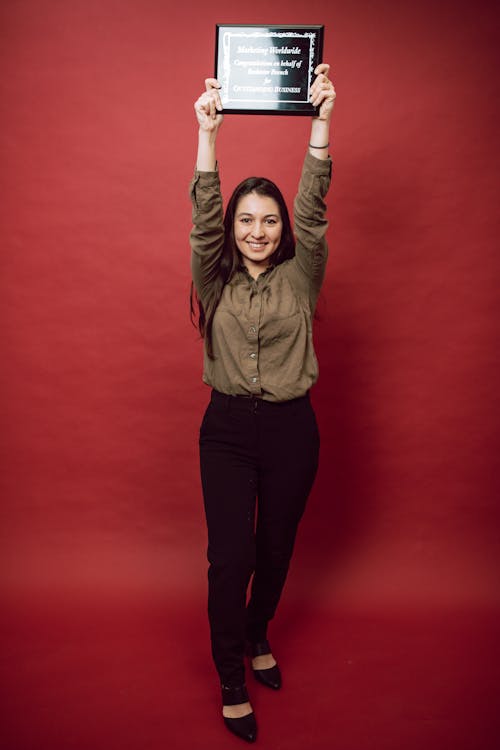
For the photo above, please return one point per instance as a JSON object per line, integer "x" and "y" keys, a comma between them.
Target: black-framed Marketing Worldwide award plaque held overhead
{"x": 267, "y": 70}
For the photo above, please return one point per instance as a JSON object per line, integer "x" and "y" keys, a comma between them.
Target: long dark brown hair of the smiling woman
{"x": 231, "y": 258}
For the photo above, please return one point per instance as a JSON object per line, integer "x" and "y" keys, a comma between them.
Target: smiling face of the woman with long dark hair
{"x": 257, "y": 230}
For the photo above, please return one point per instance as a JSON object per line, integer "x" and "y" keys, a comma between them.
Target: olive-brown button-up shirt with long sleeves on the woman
{"x": 262, "y": 329}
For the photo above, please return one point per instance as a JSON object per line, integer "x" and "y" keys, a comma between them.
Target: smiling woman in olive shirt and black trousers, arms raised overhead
{"x": 256, "y": 288}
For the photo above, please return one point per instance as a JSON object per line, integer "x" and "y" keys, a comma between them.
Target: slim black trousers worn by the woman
{"x": 258, "y": 463}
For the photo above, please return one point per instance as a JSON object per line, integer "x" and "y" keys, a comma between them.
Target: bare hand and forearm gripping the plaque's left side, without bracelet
{"x": 208, "y": 108}
